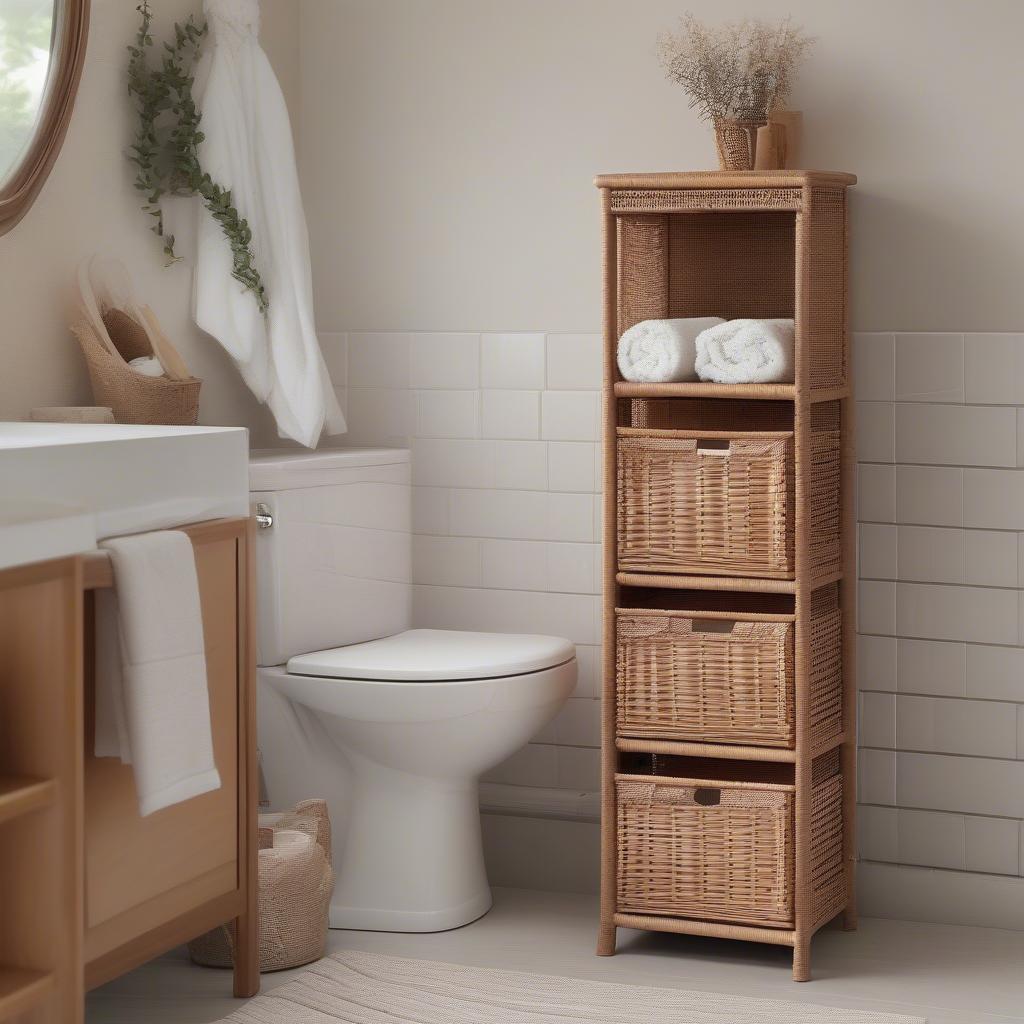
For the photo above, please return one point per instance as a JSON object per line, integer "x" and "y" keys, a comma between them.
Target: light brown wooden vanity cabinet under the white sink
{"x": 113, "y": 890}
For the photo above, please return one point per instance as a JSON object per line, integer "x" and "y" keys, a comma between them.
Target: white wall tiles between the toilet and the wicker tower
{"x": 504, "y": 432}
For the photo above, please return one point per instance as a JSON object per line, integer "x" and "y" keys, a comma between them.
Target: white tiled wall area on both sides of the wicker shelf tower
{"x": 504, "y": 431}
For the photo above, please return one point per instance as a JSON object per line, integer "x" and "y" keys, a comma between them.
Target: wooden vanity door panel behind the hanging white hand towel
{"x": 155, "y": 882}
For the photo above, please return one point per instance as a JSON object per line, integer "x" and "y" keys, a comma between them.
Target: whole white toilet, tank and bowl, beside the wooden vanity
{"x": 393, "y": 726}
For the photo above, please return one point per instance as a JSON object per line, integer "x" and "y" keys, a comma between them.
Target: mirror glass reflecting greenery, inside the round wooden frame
{"x": 27, "y": 29}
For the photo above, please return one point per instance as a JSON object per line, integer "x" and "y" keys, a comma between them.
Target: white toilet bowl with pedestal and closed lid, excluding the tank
{"x": 412, "y": 860}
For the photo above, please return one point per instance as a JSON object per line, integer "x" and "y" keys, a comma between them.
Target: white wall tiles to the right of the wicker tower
{"x": 942, "y": 648}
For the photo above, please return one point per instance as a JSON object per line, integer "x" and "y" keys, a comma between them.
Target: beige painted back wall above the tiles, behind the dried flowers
{"x": 449, "y": 148}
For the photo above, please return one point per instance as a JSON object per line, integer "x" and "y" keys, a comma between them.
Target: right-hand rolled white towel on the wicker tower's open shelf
{"x": 747, "y": 352}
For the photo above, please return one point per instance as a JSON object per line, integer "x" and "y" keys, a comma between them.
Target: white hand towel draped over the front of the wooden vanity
{"x": 153, "y": 704}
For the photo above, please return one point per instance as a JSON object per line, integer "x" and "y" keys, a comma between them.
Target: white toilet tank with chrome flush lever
{"x": 335, "y": 568}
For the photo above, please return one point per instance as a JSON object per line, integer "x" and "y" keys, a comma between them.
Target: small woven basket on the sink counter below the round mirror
{"x": 134, "y": 397}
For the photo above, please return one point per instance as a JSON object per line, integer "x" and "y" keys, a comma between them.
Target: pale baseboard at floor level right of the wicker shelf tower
{"x": 940, "y": 897}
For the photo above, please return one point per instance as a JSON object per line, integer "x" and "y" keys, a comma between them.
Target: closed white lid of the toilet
{"x": 438, "y": 655}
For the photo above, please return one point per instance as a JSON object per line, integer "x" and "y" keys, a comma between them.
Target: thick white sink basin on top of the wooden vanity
{"x": 57, "y": 478}
